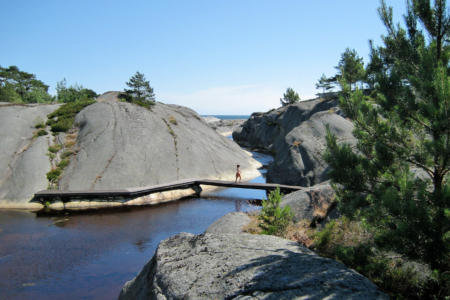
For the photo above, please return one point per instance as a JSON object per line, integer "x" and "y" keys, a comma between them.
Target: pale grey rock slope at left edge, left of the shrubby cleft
{"x": 23, "y": 163}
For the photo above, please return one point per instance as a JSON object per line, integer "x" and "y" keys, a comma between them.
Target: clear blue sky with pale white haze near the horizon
{"x": 216, "y": 57}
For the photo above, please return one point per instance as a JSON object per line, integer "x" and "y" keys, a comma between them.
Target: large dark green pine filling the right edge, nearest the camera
{"x": 402, "y": 133}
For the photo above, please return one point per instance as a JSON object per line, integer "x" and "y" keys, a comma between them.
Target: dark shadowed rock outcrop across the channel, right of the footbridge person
{"x": 295, "y": 134}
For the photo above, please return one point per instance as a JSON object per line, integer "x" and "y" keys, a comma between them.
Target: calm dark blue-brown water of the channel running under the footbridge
{"x": 90, "y": 255}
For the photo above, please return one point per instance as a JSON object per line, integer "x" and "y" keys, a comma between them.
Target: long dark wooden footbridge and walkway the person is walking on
{"x": 140, "y": 191}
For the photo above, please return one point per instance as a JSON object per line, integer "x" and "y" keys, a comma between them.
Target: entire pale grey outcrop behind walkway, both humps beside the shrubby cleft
{"x": 118, "y": 145}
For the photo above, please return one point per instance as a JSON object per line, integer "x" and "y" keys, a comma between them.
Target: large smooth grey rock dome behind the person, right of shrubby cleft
{"x": 124, "y": 145}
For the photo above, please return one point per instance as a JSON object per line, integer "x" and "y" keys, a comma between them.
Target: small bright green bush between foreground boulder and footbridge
{"x": 274, "y": 218}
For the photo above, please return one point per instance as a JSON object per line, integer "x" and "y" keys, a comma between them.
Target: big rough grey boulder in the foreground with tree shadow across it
{"x": 188, "y": 266}
